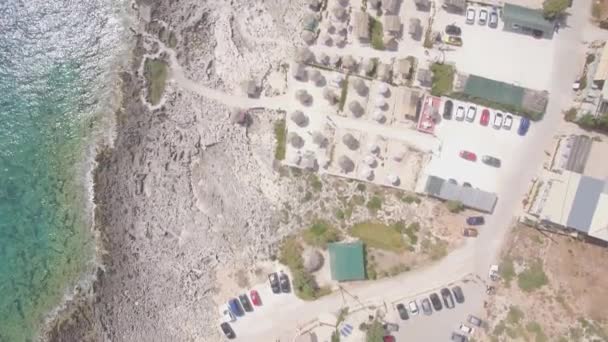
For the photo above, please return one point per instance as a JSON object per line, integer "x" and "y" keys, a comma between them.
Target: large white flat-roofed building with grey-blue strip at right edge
{"x": 573, "y": 201}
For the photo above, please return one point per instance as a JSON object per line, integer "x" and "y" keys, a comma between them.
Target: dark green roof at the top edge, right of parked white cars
{"x": 527, "y": 21}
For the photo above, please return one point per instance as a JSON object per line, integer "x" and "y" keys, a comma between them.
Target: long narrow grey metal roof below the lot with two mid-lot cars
{"x": 472, "y": 198}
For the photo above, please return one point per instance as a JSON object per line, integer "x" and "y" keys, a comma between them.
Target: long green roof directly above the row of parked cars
{"x": 495, "y": 91}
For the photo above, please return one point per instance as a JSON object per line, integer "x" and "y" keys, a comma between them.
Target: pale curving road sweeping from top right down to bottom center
{"x": 476, "y": 255}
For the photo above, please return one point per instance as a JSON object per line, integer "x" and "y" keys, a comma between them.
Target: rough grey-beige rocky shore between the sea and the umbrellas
{"x": 183, "y": 191}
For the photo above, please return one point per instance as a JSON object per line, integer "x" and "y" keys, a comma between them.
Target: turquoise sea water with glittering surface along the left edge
{"x": 57, "y": 81}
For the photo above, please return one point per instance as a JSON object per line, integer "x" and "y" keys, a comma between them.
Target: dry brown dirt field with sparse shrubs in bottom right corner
{"x": 552, "y": 288}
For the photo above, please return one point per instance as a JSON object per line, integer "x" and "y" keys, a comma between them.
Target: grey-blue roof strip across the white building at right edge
{"x": 585, "y": 203}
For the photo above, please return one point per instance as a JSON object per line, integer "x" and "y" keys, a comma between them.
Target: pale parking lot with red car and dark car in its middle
{"x": 456, "y": 136}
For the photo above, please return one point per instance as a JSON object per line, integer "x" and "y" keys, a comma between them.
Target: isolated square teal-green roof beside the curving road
{"x": 346, "y": 261}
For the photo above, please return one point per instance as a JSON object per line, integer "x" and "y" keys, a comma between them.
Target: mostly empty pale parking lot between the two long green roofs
{"x": 496, "y": 54}
